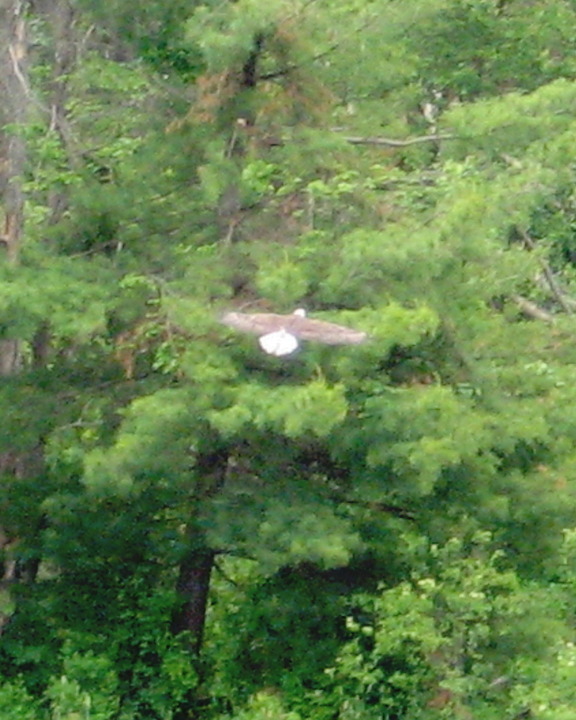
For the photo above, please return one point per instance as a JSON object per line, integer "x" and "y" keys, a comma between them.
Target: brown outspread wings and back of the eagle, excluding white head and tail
{"x": 301, "y": 327}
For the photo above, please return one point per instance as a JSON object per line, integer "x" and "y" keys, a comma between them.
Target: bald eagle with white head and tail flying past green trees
{"x": 280, "y": 334}
